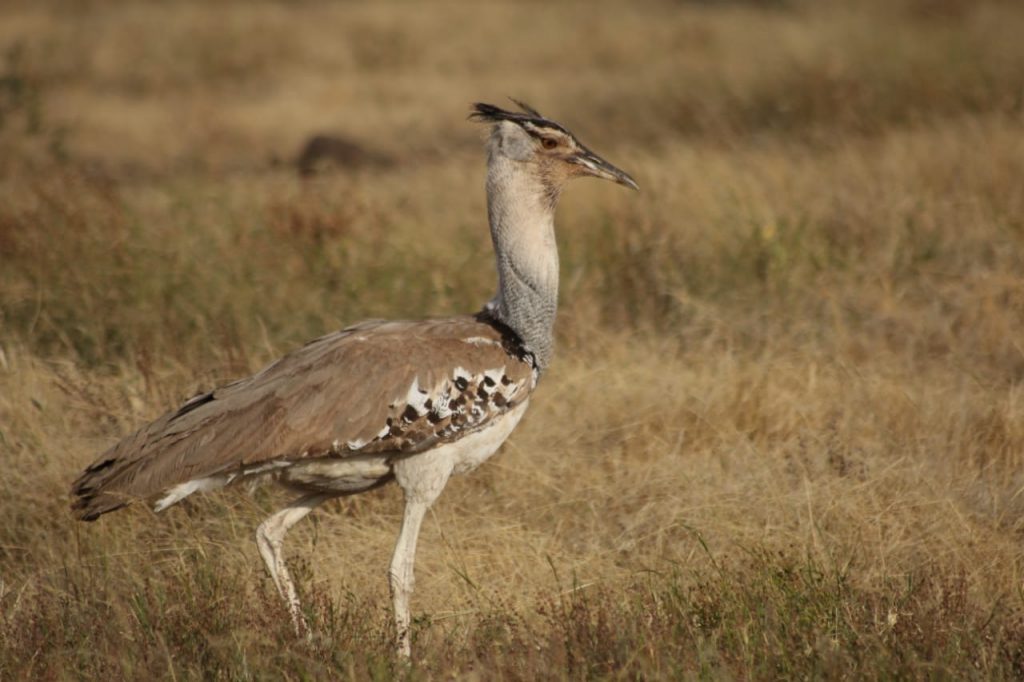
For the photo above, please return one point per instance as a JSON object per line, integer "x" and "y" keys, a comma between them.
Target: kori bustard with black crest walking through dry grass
{"x": 410, "y": 402}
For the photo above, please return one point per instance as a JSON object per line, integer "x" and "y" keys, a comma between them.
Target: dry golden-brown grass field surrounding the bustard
{"x": 784, "y": 434}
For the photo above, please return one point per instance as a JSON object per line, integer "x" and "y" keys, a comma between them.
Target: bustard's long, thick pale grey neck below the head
{"x": 522, "y": 209}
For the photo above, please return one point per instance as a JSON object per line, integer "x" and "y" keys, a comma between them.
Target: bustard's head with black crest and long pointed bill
{"x": 552, "y": 152}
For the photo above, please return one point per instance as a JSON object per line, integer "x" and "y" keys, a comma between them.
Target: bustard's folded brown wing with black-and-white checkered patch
{"x": 376, "y": 388}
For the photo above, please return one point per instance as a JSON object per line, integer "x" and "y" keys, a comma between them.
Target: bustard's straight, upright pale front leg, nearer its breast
{"x": 422, "y": 479}
